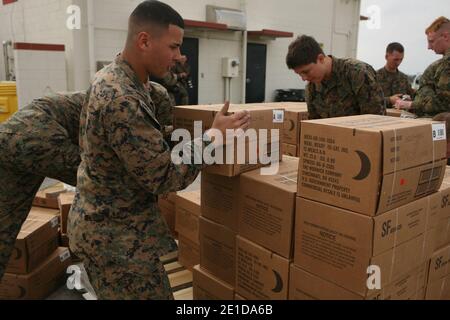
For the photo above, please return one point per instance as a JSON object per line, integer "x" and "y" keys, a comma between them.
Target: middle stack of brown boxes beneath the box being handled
{"x": 246, "y": 234}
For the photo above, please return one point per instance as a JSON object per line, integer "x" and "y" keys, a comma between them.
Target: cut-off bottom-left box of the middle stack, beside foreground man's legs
{"x": 208, "y": 287}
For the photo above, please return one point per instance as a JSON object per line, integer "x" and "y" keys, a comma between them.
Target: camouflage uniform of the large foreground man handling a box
{"x": 115, "y": 223}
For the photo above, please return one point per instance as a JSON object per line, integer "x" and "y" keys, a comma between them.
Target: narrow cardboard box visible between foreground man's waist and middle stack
{"x": 188, "y": 210}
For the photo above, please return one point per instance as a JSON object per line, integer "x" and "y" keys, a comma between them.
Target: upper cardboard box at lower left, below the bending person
{"x": 37, "y": 239}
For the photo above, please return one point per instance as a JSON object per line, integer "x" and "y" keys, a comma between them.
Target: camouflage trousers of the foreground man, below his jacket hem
{"x": 112, "y": 280}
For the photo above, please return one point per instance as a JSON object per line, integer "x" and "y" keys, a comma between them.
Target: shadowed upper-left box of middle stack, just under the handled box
{"x": 220, "y": 199}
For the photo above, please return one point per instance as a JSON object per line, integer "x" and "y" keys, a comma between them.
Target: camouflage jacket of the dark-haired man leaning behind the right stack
{"x": 352, "y": 90}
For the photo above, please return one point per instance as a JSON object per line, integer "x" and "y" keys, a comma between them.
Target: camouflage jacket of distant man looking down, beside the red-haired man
{"x": 393, "y": 83}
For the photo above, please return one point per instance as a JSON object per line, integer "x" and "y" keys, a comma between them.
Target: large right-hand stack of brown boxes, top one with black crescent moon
{"x": 367, "y": 207}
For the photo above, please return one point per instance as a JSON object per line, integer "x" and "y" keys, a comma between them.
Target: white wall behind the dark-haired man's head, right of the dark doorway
{"x": 314, "y": 18}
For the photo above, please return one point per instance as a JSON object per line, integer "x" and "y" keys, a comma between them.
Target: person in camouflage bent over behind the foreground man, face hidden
{"x": 41, "y": 140}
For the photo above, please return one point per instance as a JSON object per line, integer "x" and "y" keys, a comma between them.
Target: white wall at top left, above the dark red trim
{"x": 44, "y": 21}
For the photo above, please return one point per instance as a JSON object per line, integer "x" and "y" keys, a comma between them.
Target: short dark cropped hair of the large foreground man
{"x": 152, "y": 13}
